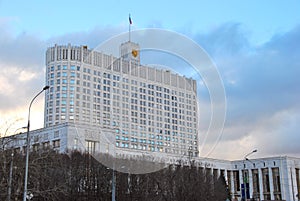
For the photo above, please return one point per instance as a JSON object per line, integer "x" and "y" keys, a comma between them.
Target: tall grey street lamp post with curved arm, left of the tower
{"x": 28, "y": 143}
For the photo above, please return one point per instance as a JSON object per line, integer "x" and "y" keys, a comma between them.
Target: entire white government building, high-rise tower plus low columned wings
{"x": 99, "y": 103}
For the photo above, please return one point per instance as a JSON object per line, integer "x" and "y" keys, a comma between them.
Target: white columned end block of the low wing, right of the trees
{"x": 273, "y": 178}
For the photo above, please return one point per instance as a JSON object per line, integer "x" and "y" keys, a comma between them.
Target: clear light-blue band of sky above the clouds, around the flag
{"x": 54, "y": 18}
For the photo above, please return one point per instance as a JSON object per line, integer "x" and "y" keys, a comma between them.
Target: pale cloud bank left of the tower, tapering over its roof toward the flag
{"x": 22, "y": 68}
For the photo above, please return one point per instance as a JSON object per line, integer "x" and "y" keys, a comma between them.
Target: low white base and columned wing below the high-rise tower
{"x": 270, "y": 178}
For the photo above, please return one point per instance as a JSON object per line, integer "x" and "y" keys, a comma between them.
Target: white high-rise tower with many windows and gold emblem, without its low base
{"x": 146, "y": 108}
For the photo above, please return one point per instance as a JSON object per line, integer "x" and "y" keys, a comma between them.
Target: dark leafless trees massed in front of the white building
{"x": 78, "y": 176}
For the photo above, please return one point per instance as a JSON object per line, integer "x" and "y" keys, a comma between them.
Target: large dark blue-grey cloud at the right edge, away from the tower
{"x": 267, "y": 82}
